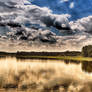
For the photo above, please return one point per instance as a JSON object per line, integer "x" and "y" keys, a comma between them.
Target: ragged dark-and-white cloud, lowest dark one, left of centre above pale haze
{"x": 33, "y": 35}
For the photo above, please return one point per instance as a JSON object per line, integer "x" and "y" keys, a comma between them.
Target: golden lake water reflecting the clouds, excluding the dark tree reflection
{"x": 44, "y": 76}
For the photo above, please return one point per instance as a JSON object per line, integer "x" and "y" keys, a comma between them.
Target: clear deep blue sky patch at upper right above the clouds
{"x": 76, "y": 8}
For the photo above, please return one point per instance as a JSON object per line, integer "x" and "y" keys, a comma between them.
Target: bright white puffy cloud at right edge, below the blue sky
{"x": 84, "y": 24}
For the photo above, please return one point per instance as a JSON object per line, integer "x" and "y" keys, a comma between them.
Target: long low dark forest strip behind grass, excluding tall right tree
{"x": 67, "y": 53}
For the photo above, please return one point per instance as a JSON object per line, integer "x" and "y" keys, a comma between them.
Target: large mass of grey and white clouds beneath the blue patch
{"x": 30, "y": 24}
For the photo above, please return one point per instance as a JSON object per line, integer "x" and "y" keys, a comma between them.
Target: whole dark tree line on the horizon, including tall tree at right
{"x": 86, "y": 52}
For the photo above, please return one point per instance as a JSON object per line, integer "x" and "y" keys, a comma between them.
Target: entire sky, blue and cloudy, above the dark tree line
{"x": 45, "y": 25}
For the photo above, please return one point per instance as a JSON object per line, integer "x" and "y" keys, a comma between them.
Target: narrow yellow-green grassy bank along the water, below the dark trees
{"x": 75, "y": 58}
